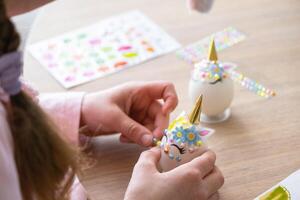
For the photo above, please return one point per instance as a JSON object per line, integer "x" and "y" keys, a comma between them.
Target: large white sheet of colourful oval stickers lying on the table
{"x": 107, "y": 47}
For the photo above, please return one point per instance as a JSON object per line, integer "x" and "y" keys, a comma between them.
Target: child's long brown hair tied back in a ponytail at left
{"x": 45, "y": 162}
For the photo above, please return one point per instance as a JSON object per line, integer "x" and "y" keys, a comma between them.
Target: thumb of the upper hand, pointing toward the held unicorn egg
{"x": 133, "y": 130}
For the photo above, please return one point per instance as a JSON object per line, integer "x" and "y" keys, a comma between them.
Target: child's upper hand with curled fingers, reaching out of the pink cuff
{"x": 131, "y": 109}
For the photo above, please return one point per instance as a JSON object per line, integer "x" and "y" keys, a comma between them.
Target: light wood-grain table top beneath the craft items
{"x": 260, "y": 144}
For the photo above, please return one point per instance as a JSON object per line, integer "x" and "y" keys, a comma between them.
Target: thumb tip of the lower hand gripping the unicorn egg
{"x": 149, "y": 159}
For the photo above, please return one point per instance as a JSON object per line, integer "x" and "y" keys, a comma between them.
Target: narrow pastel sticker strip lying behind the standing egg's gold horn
{"x": 196, "y": 52}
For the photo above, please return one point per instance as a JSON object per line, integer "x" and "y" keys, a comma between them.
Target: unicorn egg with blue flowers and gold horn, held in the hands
{"x": 183, "y": 140}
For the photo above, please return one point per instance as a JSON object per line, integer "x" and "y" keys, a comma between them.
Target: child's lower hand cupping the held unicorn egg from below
{"x": 199, "y": 179}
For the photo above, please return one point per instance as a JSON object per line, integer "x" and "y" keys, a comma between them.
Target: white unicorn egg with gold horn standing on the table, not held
{"x": 210, "y": 78}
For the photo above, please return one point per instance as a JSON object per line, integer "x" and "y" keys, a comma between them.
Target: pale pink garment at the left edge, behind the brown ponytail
{"x": 9, "y": 180}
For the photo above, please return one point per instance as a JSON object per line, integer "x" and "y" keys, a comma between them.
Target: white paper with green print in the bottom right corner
{"x": 288, "y": 189}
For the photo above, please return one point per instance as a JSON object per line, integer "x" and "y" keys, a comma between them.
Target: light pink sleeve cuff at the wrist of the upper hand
{"x": 64, "y": 109}
